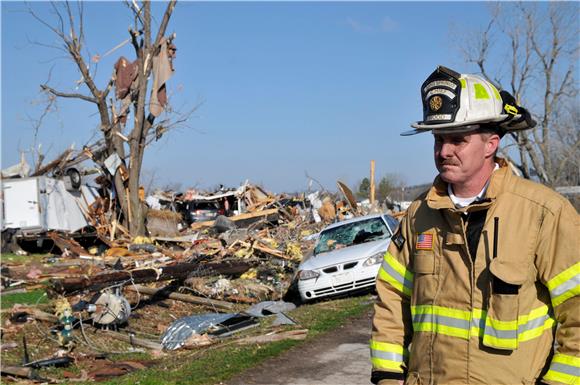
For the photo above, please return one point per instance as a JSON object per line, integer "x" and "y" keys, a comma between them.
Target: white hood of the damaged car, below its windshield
{"x": 347, "y": 254}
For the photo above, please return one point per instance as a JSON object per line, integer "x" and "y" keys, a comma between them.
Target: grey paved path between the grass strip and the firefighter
{"x": 340, "y": 357}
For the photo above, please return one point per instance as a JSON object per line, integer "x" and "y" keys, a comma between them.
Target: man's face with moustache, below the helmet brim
{"x": 462, "y": 156}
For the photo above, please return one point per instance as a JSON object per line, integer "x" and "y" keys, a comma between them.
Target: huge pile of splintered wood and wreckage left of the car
{"x": 211, "y": 266}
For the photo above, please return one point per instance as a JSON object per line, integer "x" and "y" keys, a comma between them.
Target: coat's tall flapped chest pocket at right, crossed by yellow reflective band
{"x": 501, "y": 321}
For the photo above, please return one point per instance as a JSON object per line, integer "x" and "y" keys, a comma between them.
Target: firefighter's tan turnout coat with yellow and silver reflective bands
{"x": 437, "y": 318}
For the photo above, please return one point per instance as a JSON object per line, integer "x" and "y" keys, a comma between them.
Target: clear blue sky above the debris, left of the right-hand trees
{"x": 282, "y": 89}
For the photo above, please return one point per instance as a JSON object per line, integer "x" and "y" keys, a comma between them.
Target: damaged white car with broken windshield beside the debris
{"x": 347, "y": 256}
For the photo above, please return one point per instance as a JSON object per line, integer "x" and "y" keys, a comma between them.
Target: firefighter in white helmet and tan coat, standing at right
{"x": 483, "y": 273}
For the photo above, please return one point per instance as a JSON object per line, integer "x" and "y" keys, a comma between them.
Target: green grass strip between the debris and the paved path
{"x": 221, "y": 362}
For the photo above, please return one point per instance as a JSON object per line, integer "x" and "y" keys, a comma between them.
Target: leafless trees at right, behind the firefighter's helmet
{"x": 533, "y": 50}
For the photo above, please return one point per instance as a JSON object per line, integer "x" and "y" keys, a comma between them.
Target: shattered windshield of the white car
{"x": 350, "y": 234}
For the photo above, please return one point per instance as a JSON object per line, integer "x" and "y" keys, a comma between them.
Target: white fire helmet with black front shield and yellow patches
{"x": 454, "y": 103}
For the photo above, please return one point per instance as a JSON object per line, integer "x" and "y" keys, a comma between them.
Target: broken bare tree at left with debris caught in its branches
{"x": 113, "y": 110}
